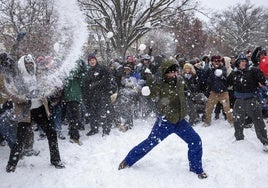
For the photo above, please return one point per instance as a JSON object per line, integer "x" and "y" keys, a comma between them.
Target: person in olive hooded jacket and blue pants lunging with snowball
{"x": 171, "y": 119}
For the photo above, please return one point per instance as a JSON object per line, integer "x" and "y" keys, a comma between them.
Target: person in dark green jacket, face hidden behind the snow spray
{"x": 73, "y": 98}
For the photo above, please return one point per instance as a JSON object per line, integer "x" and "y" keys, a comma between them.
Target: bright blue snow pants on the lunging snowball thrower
{"x": 163, "y": 128}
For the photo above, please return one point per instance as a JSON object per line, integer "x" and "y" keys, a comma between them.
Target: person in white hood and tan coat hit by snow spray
{"x": 30, "y": 105}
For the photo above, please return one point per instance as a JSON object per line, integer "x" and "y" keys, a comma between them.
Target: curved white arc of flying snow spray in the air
{"x": 73, "y": 30}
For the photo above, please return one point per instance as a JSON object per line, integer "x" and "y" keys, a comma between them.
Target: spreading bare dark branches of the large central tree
{"x": 129, "y": 20}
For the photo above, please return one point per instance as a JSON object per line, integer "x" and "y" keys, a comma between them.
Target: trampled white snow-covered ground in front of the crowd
{"x": 228, "y": 163}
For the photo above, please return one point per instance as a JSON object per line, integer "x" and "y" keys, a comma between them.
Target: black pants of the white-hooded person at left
{"x": 24, "y": 129}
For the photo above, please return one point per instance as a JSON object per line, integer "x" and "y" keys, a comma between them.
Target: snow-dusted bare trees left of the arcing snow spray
{"x": 35, "y": 18}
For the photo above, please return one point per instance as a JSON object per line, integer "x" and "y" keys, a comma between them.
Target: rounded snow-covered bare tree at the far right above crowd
{"x": 242, "y": 27}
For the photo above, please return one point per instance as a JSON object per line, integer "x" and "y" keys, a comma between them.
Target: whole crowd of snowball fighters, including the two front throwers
{"x": 99, "y": 97}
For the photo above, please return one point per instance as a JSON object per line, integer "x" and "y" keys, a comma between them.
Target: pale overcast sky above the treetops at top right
{"x": 215, "y": 5}
